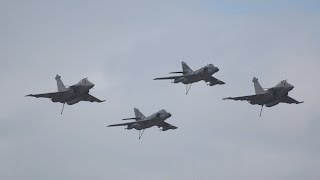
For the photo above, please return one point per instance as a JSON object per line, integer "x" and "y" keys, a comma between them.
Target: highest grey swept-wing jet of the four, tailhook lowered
{"x": 189, "y": 76}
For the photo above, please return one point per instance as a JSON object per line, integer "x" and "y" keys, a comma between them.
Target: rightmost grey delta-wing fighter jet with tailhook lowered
{"x": 270, "y": 97}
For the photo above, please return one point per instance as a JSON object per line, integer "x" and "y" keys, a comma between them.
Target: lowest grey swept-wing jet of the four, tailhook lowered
{"x": 142, "y": 122}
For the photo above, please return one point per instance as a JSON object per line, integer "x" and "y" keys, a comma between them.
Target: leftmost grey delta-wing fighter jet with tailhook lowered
{"x": 70, "y": 95}
